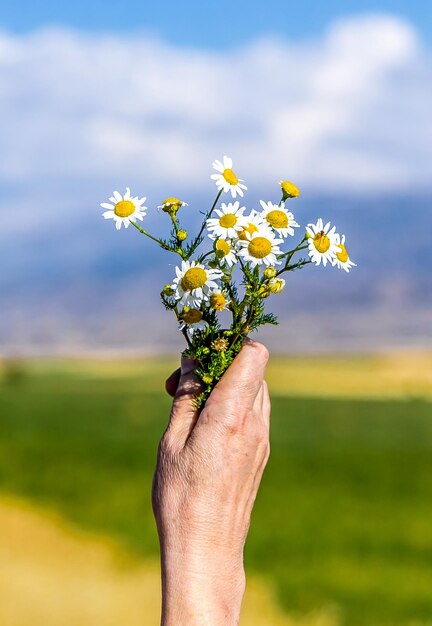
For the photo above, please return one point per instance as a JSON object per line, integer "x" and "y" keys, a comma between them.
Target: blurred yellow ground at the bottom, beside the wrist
{"x": 51, "y": 575}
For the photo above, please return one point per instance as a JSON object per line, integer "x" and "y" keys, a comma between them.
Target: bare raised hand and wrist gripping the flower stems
{"x": 208, "y": 472}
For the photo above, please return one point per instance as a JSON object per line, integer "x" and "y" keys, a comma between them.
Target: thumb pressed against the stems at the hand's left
{"x": 184, "y": 414}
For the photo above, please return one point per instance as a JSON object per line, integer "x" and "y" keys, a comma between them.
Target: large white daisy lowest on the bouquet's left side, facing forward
{"x": 194, "y": 283}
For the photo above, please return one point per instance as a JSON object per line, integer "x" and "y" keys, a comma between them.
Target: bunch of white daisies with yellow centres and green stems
{"x": 240, "y": 268}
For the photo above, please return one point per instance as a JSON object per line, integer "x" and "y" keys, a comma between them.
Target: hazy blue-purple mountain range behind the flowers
{"x": 77, "y": 284}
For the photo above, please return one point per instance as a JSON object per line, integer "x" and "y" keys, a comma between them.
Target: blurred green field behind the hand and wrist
{"x": 344, "y": 514}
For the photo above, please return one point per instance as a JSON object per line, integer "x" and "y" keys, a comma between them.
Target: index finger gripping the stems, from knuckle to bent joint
{"x": 242, "y": 381}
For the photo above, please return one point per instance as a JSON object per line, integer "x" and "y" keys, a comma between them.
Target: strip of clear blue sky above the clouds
{"x": 207, "y": 24}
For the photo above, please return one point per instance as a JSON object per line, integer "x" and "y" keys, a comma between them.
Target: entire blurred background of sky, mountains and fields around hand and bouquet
{"x": 96, "y": 96}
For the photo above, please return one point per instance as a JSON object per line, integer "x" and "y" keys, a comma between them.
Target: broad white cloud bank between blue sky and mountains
{"x": 347, "y": 111}
